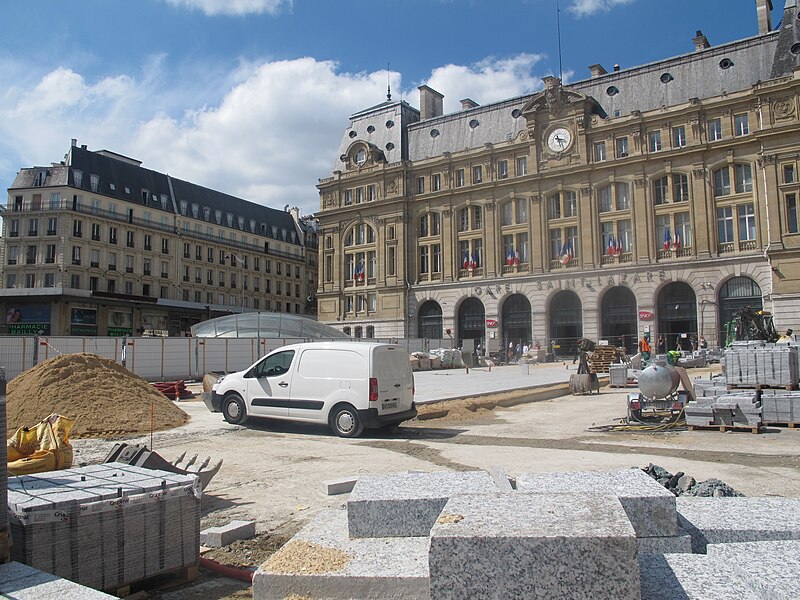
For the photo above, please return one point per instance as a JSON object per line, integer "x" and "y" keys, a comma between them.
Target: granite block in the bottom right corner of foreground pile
{"x": 770, "y": 568}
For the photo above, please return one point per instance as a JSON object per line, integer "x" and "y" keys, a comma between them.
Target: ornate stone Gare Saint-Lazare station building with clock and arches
{"x": 660, "y": 198}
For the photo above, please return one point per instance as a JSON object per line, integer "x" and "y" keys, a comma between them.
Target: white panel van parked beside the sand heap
{"x": 347, "y": 385}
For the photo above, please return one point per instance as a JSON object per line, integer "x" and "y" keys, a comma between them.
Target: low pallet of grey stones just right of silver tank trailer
{"x": 738, "y": 409}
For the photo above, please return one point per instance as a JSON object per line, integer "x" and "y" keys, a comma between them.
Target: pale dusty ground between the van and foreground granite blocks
{"x": 273, "y": 471}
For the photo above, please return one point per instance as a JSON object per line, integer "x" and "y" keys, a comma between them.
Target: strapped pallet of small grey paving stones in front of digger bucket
{"x": 107, "y": 525}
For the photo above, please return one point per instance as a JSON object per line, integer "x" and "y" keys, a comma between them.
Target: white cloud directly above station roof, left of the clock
{"x": 487, "y": 81}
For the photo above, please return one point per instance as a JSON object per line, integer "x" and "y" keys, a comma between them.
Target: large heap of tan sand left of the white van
{"x": 103, "y": 397}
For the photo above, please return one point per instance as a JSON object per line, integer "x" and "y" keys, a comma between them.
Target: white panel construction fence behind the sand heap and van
{"x": 156, "y": 358}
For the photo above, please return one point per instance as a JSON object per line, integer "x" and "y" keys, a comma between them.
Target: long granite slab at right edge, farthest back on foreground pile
{"x": 729, "y": 520}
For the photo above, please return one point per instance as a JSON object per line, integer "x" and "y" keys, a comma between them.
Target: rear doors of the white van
{"x": 392, "y": 369}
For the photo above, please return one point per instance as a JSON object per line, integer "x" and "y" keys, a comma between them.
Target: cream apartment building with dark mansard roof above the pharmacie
{"x": 97, "y": 245}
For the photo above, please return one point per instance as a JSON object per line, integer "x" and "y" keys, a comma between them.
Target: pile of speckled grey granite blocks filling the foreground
{"x": 614, "y": 534}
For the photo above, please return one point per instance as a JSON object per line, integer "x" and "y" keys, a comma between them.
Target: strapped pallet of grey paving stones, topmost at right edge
{"x": 752, "y": 364}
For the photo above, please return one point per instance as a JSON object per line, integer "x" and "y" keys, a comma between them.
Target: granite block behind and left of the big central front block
{"x": 407, "y": 504}
